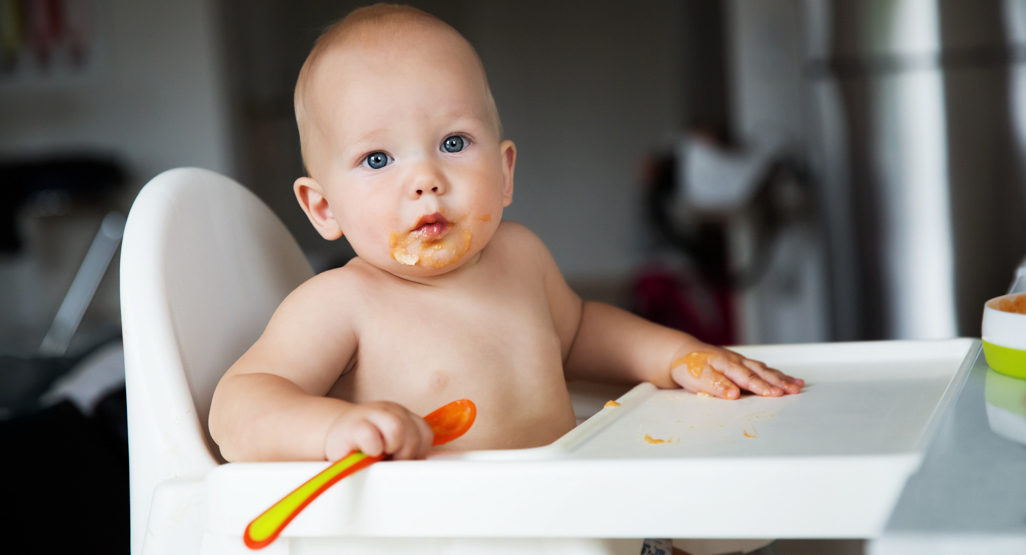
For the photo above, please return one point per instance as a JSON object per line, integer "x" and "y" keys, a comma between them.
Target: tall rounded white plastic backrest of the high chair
{"x": 205, "y": 264}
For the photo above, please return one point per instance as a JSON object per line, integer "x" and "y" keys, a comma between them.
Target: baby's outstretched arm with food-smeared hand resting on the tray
{"x": 607, "y": 344}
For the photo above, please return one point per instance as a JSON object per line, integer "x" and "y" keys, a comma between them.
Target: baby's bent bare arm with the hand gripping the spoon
{"x": 271, "y": 405}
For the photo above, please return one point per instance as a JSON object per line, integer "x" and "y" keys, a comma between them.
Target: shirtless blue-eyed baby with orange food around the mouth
{"x": 445, "y": 301}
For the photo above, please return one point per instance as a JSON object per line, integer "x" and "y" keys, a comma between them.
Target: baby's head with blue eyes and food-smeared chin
{"x": 403, "y": 142}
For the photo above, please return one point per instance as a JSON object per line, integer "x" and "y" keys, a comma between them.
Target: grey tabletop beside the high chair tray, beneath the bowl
{"x": 970, "y": 494}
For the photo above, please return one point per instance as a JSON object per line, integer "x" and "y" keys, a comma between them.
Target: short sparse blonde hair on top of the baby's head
{"x": 385, "y": 21}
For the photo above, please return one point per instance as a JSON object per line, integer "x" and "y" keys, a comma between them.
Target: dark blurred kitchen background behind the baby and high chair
{"x": 771, "y": 172}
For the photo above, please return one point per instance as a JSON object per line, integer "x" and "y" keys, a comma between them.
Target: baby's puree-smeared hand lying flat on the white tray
{"x": 724, "y": 374}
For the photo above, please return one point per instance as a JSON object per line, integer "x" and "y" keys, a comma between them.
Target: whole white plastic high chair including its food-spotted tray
{"x": 206, "y": 264}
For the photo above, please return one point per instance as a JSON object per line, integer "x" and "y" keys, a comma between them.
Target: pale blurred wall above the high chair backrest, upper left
{"x": 159, "y": 100}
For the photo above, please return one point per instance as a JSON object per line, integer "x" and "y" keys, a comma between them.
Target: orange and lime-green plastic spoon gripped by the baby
{"x": 448, "y": 423}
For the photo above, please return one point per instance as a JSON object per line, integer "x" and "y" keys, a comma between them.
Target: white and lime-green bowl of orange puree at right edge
{"x": 1005, "y": 339}
